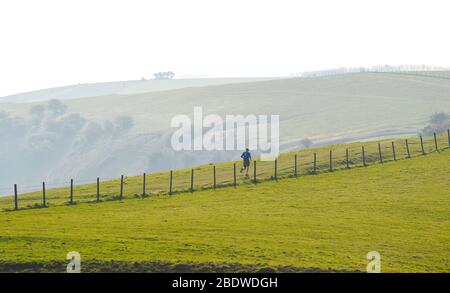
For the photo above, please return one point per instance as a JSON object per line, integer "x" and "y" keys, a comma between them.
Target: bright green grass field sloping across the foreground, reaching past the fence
{"x": 328, "y": 221}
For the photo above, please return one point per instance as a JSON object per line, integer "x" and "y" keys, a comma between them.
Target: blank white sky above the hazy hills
{"x": 50, "y": 43}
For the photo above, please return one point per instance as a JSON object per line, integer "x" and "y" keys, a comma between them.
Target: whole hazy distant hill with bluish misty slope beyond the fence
{"x": 325, "y": 110}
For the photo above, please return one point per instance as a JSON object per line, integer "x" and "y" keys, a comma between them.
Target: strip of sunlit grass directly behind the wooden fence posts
{"x": 159, "y": 183}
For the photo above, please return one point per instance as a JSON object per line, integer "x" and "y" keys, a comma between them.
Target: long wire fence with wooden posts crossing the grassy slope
{"x": 292, "y": 164}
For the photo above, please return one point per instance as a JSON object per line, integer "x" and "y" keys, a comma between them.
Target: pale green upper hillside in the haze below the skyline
{"x": 365, "y": 103}
